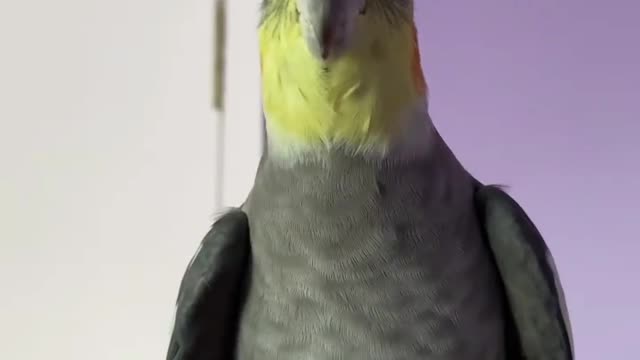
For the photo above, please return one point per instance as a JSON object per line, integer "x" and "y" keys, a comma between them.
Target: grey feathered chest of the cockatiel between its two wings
{"x": 356, "y": 260}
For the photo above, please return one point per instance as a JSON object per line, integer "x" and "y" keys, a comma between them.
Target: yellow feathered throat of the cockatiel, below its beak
{"x": 362, "y": 101}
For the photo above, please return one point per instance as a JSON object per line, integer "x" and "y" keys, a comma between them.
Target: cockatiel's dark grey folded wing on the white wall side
{"x": 212, "y": 293}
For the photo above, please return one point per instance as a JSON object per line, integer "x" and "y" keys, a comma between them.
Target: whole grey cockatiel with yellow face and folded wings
{"x": 363, "y": 237}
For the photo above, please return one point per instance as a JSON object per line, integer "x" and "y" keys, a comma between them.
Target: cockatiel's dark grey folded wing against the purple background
{"x": 530, "y": 279}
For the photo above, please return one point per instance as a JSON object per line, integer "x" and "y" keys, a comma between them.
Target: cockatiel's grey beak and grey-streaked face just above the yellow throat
{"x": 329, "y": 27}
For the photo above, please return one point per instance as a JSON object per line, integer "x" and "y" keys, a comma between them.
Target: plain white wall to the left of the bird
{"x": 106, "y": 168}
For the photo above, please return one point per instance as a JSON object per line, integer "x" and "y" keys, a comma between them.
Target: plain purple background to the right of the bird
{"x": 542, "y": 95}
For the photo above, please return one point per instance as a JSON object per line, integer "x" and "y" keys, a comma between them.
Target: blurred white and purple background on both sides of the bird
{"x": 108, "y": 154}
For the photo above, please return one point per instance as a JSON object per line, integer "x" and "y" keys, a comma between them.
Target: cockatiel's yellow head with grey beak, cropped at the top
{"x": 339, "y": 72}
